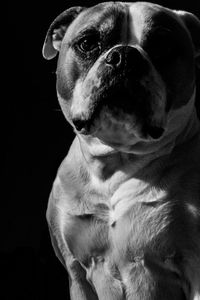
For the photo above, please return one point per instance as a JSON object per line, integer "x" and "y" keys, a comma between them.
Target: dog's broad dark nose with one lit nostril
{"x": 128, "y": 58}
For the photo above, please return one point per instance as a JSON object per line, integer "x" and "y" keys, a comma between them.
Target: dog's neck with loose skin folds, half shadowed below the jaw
{"x": 106, "y": 163}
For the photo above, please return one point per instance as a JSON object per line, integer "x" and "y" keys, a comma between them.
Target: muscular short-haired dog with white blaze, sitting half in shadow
{"x": 124, "y": 210}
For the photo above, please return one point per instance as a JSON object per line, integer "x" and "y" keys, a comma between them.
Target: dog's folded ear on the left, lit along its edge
{"x": 57, "y": 31}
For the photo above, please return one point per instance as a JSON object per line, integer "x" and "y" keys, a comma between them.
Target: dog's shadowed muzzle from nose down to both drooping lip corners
{"x": 122, "y": 72}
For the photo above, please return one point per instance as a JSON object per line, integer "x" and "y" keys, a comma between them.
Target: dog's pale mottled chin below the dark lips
{"x": 120, "y": 130}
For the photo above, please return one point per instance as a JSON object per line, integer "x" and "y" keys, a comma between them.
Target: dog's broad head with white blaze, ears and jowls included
{"x": 126, "y": 71}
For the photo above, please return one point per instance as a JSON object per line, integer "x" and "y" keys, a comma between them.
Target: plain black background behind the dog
{"x": 37, "y": 139}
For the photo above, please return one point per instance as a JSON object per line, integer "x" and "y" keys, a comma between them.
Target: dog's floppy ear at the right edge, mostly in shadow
{"x": 192, "y": 24}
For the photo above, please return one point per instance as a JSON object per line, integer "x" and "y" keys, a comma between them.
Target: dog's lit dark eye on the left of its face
{"x": 89, "y": 43}
